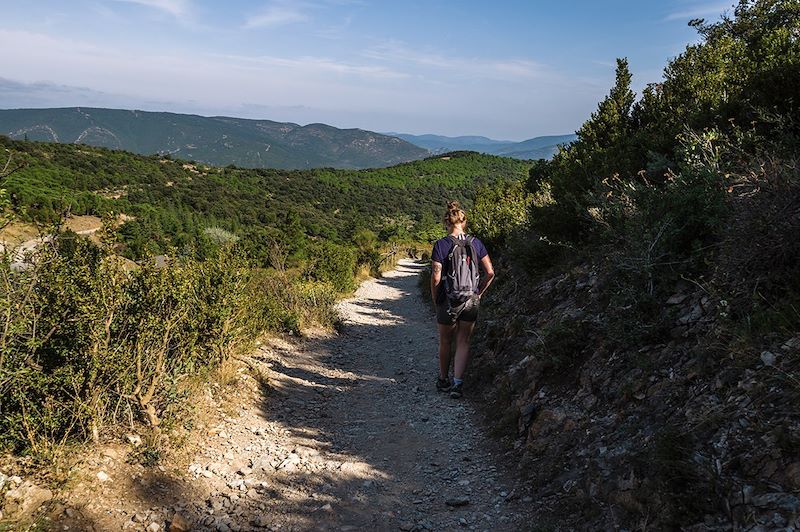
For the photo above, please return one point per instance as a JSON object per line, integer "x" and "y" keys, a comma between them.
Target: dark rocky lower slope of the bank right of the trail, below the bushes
{"x": 672, "y": 433}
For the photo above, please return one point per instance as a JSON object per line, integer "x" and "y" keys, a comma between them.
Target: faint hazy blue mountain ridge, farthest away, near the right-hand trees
{"x": 536, "y": 148}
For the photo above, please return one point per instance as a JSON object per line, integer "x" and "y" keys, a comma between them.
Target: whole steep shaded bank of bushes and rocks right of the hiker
{"x": 644, "y": 344}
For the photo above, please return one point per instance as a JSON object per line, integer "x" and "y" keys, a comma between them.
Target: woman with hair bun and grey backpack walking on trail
{"x": 456, "y": 289}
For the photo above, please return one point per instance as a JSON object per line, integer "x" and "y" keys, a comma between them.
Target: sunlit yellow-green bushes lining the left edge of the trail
{"x": 85, "y": 340}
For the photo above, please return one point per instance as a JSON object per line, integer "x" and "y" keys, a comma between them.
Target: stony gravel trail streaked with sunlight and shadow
{"x": 347, "y": 434}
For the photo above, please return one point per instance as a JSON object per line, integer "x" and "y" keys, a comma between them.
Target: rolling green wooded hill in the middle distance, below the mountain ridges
{"x": 172, "y": 202}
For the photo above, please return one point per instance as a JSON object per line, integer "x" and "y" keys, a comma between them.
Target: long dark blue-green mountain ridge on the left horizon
{"x": 218, "y": 140}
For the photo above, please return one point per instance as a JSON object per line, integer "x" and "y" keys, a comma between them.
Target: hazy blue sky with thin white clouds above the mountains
{"x": 504, "y": 69}
